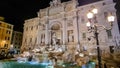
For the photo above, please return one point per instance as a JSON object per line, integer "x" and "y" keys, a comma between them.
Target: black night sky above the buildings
{"x": 16, "y": 11}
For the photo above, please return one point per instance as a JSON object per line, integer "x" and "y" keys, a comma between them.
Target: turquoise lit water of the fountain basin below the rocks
{"x": 15, "y": 64}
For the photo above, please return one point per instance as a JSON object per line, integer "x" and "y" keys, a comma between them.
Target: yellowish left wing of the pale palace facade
{"x": 30, "y": 32}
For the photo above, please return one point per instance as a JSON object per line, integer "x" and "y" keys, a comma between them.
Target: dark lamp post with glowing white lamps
{"x": 94, "y": 28}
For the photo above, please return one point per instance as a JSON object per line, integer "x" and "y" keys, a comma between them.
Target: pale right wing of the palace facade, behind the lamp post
{"x": 104, "y": 7}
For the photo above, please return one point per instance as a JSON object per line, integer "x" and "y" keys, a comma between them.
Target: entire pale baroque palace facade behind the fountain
{"x": 65, "y": 24}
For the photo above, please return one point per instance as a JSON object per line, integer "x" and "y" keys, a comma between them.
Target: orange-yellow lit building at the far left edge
{"x": 5, "y": 36}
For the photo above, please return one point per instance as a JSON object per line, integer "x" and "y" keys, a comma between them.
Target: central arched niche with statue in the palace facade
{"x": 56, "y": 34}
